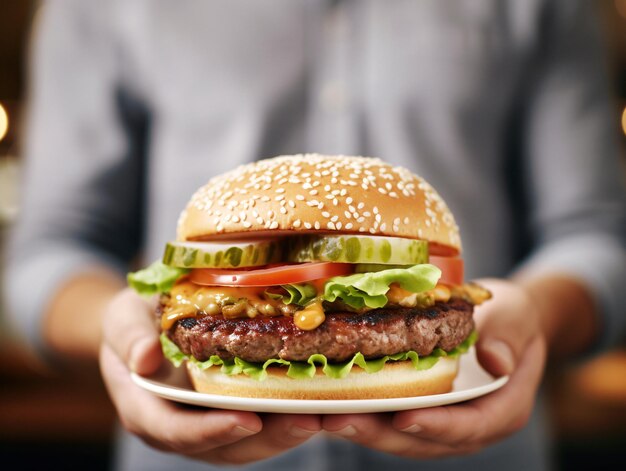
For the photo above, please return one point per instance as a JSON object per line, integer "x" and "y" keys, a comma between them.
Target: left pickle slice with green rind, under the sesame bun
{"x": 221, "y": 254}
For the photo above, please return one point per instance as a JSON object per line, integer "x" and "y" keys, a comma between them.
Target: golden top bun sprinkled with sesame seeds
{"x": 317, "y": 193}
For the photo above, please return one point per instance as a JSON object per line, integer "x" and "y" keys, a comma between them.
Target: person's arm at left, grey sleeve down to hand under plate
{"x": 79, "y": 228}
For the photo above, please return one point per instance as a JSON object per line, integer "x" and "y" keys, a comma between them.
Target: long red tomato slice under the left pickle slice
{"x": 276, "y": 275}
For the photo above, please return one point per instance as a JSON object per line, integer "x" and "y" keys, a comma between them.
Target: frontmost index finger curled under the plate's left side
{"x": 165, "y": 425}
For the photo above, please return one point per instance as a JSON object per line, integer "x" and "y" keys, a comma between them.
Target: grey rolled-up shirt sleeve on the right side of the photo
{"x": 574, "y": 174}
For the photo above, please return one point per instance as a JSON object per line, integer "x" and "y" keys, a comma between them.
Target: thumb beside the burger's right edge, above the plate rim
{"x": 506, "y": 325}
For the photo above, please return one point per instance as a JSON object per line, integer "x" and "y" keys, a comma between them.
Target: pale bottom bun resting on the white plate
{"x": 397, "y": 379}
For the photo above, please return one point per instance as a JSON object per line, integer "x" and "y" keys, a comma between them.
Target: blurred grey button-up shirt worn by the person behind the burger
{"x": 501, "y": 105}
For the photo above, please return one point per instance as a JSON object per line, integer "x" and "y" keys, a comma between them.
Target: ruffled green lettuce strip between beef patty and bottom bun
{"x": 306, "y": 369}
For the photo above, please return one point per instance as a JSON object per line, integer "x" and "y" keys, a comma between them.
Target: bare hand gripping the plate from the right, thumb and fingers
{"x": 511, "y": 342}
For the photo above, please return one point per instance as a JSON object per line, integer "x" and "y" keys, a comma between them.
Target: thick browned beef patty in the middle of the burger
{"x": 375, "y": 333}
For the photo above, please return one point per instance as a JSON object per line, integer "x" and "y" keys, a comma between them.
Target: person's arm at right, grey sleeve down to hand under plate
{"x": 567, "y": 298}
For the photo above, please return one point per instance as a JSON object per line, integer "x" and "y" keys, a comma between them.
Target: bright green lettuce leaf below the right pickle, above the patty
{"x": 368, "y": 289}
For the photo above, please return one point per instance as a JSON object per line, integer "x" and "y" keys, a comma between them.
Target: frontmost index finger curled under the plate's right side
{"x": 481, "y": 421}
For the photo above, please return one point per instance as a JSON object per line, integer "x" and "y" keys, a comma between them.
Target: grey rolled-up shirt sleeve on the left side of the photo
{"x": 82, "y": 184}
